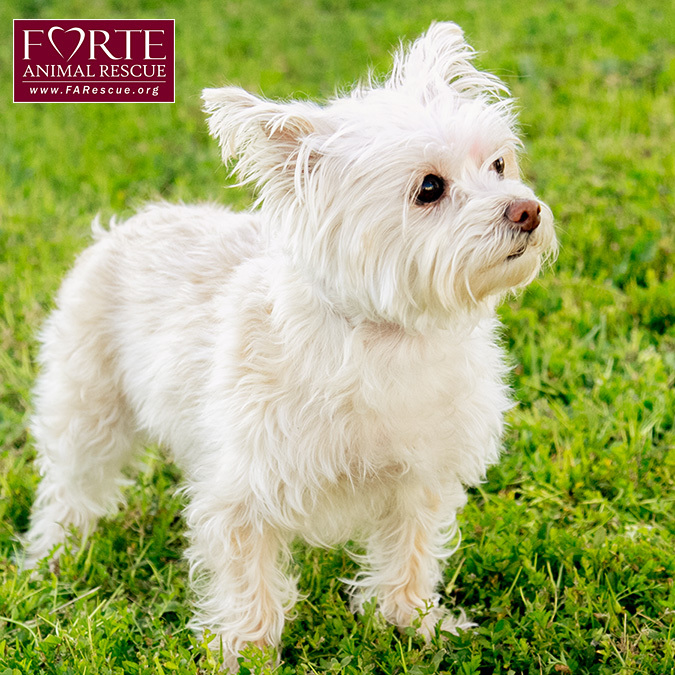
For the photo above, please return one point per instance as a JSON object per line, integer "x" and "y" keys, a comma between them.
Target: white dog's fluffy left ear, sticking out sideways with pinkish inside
{"x": 265, "y": 135}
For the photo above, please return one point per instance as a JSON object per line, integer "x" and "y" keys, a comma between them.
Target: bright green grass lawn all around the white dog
{"x": 568, "y": 556}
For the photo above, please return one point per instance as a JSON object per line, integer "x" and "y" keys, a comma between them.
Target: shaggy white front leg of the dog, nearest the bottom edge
{"x": 237, "y": 565}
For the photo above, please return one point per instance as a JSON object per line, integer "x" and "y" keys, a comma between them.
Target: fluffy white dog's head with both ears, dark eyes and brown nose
{"x": 402, "y": 199}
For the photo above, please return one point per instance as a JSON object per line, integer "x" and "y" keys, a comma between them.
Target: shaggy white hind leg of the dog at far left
{"x": 82, "y": 427}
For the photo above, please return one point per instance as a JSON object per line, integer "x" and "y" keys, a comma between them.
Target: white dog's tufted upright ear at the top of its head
{"x": 439, "y": 59}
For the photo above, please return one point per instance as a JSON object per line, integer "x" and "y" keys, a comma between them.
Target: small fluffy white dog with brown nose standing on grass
{"x": 323, "y": 367}
